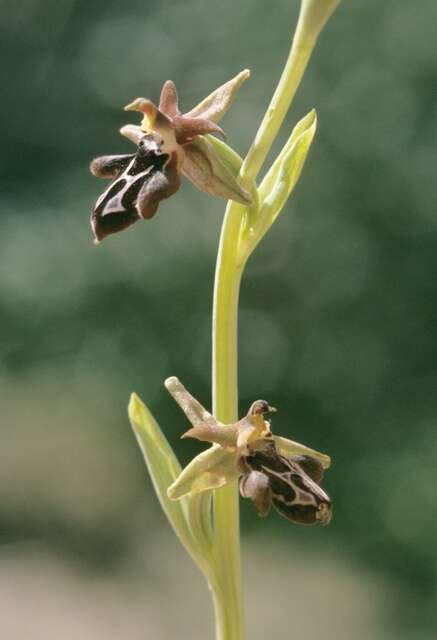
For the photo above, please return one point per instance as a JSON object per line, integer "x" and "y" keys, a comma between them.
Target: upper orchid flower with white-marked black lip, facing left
{"x": 169, "y": 144}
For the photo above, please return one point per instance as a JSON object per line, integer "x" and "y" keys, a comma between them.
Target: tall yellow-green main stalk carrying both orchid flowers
{"x": 227, "y": 585}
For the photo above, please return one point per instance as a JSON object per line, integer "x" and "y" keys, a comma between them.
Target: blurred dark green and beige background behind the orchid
{"x": 338, "y": 317}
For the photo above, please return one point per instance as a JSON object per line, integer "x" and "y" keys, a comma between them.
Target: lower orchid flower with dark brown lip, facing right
{"x": 268, "y": 474}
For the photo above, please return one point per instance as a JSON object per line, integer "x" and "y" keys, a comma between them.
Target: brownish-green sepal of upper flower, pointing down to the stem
{"x": 203, "y": 168}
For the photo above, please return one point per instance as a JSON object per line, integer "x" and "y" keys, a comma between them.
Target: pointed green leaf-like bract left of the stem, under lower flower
{"x": 189, "y": 517}
